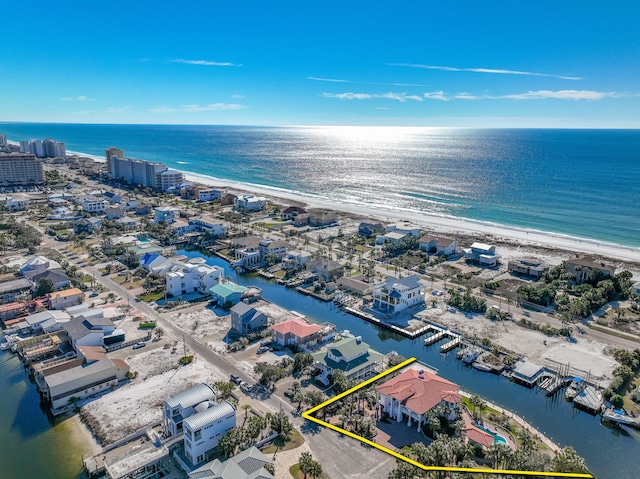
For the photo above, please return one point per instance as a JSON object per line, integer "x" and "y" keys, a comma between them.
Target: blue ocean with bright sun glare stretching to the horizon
{"x": 581, "y": 183}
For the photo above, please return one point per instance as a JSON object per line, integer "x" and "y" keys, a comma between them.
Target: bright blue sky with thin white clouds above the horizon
{"x": 424, "y": 63}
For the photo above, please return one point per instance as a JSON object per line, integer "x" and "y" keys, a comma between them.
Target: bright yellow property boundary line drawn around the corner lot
{"x": 308, "y": 415}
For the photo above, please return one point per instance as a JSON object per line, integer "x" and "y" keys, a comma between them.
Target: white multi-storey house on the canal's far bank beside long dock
{"x": 394, "y": 294}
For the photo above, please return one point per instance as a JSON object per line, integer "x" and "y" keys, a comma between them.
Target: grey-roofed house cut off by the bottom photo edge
{"x": 244, "y": 465}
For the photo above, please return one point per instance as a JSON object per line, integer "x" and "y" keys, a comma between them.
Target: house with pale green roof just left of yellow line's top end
{"x": 352, "y": 356}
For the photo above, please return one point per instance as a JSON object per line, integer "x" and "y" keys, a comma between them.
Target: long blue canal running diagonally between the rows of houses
{"x": 609, "y": 452}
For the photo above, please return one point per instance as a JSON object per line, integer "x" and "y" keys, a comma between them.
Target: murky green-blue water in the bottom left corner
{"x": 31, "y": 444}
